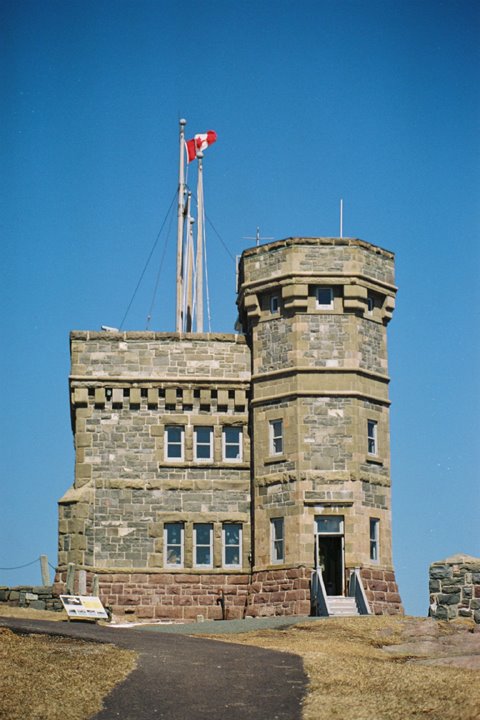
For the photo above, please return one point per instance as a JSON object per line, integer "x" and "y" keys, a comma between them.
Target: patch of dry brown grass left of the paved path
{"x": 57, "y": 678}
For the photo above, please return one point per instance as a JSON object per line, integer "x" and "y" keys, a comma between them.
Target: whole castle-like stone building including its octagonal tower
{"x": 213, "y": 467}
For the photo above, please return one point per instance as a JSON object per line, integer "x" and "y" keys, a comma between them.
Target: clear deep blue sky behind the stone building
{"x": 374, "y": 102}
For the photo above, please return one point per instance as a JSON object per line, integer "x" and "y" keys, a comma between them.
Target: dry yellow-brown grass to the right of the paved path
{"x": 352, "y": 678}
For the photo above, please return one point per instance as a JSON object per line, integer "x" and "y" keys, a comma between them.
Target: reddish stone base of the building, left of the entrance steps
{"x": 181, "y": 596}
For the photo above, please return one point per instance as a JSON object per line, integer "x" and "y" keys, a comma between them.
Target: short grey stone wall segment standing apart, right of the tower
{"x": 455, "y": 588}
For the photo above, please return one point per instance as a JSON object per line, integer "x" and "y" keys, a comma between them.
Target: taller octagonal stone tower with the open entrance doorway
{"x": 315, "y": 311}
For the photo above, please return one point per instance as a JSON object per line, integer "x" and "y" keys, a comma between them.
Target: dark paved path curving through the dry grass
{"x": 188, "y": 678}
